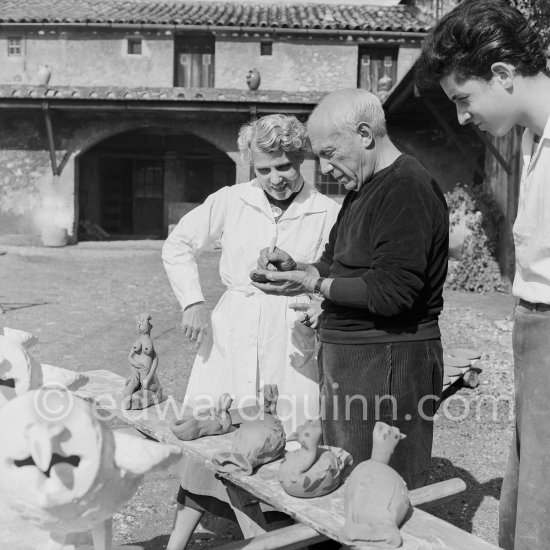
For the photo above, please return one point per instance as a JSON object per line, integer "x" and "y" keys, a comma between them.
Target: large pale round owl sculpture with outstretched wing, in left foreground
{"x": 62, "y": 470}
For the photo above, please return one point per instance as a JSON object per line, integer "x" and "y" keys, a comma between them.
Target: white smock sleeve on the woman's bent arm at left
{"x": 192, "y": 235}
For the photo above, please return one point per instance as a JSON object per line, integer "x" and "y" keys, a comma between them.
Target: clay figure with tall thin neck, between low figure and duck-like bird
{"x": 256, "y": 442}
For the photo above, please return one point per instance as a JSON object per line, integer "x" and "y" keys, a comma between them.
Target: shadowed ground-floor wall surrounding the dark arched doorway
{"x": 31, "y": 197}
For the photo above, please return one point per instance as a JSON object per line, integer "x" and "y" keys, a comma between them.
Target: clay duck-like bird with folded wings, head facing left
{"x": 312, "y": 471}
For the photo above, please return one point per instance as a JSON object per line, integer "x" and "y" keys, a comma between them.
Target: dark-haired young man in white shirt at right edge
{"x": 491, "y": 63}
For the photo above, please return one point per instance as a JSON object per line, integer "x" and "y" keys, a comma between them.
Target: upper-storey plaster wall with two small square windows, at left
{"x": 88, "y": 58}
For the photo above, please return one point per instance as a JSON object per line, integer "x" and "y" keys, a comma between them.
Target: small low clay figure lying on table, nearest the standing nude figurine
{"x": 203, "y": 422}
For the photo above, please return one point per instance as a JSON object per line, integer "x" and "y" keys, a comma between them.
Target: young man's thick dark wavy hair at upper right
{"x": 473, "y": 36}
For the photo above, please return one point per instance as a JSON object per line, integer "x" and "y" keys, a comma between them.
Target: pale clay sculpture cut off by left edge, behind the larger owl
{"x": 19, "y": 372}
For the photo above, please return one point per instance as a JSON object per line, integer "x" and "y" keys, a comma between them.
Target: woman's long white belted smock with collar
{"x": 255, "y": 339}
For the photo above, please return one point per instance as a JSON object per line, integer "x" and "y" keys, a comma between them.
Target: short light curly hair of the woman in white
{"x": 272, "y": 134}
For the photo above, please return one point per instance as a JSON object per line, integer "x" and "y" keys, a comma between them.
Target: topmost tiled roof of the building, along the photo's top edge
{"x": 401, "y": 18}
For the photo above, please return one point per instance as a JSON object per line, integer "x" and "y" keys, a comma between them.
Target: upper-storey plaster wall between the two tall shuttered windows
{"x": 294, "y": 66}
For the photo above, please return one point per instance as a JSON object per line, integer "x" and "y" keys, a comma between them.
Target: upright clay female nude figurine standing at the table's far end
{"x": 142, "y": 388}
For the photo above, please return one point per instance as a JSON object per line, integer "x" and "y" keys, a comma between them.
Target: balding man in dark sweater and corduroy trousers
{"x": 381, "y": 278}
